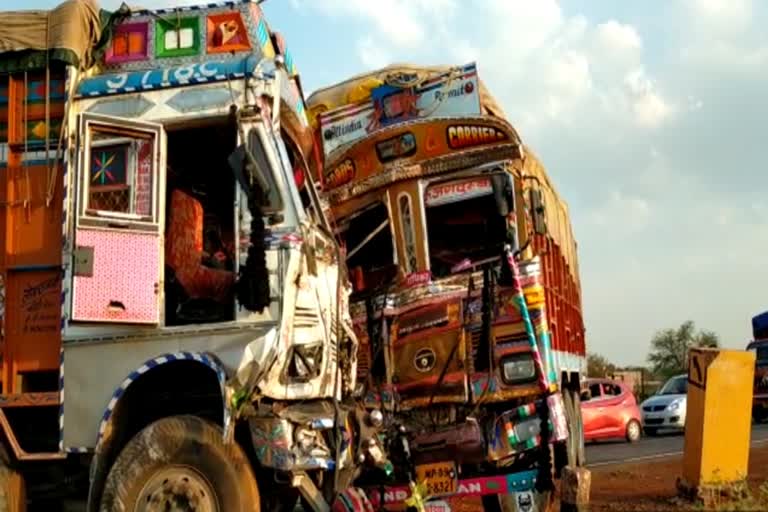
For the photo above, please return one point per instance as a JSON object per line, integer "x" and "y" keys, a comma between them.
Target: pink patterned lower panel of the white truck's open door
{"x": 123, "y": 284}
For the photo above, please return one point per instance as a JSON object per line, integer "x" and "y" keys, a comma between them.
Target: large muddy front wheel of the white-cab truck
{"x": 181, "y": 463}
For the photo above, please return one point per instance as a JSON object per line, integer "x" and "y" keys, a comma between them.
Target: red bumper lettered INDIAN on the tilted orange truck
{"x": 468, "y": 489}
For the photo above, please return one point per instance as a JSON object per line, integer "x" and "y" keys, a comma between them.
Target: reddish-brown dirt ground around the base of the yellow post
{"x": 650, "y": 486}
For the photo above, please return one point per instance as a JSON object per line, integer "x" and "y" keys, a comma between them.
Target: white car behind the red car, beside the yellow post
{"x": 666, "y": 409}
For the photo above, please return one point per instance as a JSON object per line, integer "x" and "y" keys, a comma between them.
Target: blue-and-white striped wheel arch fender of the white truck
{"x": 99, "y": 467}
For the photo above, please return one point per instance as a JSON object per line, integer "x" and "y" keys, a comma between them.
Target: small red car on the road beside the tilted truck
{"x": 609, "y": 410}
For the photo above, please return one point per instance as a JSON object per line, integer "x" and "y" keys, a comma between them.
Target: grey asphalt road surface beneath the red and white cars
{"x": 648, "y": 448}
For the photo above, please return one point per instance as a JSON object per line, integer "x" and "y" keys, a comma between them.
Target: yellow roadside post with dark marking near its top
{"x": 718, "y": 422}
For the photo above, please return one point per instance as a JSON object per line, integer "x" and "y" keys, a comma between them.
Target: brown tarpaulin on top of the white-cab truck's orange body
{"x": 68, "y": 33}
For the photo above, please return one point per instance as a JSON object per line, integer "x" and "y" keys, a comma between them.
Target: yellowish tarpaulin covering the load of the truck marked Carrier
{"x": 357, "y": 89}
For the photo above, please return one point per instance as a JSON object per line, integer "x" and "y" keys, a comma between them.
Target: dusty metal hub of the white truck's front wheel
{"x": 177, "y": 489}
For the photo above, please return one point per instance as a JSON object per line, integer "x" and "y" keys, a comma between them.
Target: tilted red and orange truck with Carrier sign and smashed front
{"x": 466, "y": 295}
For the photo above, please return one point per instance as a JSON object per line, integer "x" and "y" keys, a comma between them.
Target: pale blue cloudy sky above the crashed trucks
{"x": 648, "y": 116}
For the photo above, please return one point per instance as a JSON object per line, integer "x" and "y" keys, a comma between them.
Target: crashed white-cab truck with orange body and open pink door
{"x": 175, "y": 324}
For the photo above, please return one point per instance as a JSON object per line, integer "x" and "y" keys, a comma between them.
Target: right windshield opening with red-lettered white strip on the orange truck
{"x": 463, "y": 225}
